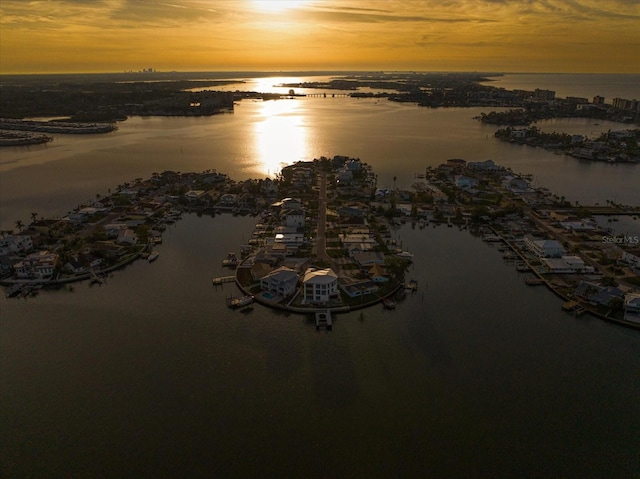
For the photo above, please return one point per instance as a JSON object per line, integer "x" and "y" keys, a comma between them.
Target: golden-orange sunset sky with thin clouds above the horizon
{"x": 600, "y": 36}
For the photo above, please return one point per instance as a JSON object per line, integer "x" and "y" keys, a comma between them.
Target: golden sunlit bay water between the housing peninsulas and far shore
{"x": 261, "y": 137}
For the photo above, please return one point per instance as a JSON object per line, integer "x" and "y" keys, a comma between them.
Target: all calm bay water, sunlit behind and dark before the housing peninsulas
{"x": 150, "y": 375}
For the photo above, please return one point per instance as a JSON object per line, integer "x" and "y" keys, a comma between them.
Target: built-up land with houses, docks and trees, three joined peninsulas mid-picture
{"x": 323, "y": 240}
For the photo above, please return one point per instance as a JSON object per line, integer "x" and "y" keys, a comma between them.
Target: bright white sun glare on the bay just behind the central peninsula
{"x": 280, "y": 135}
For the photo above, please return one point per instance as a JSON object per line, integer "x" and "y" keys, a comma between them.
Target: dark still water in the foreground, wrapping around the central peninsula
{"x": 475, "y": 375}
